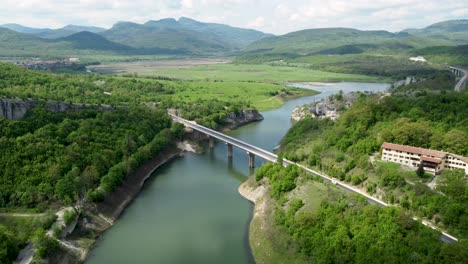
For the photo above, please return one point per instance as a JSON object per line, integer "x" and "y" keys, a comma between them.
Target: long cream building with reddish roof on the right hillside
{"x": 433, "y": 161}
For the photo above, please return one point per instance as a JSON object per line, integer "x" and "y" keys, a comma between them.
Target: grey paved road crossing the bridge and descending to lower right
{"x": 273, "y": 158}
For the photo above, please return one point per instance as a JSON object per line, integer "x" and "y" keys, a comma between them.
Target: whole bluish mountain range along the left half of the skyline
{"x": 183, "y": 36}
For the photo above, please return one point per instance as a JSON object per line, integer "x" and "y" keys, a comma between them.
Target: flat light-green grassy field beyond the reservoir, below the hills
{"x": 234, "y": 72}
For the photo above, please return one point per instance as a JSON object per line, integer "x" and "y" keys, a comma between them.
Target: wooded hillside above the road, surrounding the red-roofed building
{"x": 411, "y": 116}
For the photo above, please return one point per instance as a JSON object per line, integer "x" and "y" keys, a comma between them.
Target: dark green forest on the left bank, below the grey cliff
{"x": 59, "y": 157}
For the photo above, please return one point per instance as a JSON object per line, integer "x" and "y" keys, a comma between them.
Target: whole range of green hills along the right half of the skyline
{"x": 349, "y": 41}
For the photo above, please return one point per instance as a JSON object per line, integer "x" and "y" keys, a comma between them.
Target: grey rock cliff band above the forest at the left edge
{"x": 15, "y": 109}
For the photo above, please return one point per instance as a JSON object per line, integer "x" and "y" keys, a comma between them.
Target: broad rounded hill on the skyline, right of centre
{"x": 327, "y": 40}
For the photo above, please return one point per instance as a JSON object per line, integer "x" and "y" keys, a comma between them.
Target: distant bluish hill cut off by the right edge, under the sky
{"x": 452, "y": 30}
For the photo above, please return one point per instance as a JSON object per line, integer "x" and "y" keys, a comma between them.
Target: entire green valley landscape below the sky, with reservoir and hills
{"x": 92, "y": 133}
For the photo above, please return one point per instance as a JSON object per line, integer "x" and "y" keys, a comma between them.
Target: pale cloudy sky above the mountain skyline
{"x": 274, "y": 16}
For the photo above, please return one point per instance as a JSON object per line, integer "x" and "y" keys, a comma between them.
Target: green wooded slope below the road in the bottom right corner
{"x": 345, "y": 228}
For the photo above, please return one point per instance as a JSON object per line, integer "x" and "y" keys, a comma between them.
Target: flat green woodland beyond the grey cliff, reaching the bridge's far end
{"x": 118, "y": 91}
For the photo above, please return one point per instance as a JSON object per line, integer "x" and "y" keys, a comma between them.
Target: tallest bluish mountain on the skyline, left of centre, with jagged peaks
{"x": 185, "y": 34}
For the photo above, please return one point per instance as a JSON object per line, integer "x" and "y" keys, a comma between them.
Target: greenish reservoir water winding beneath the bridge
{"x": 190, "y": 210}
